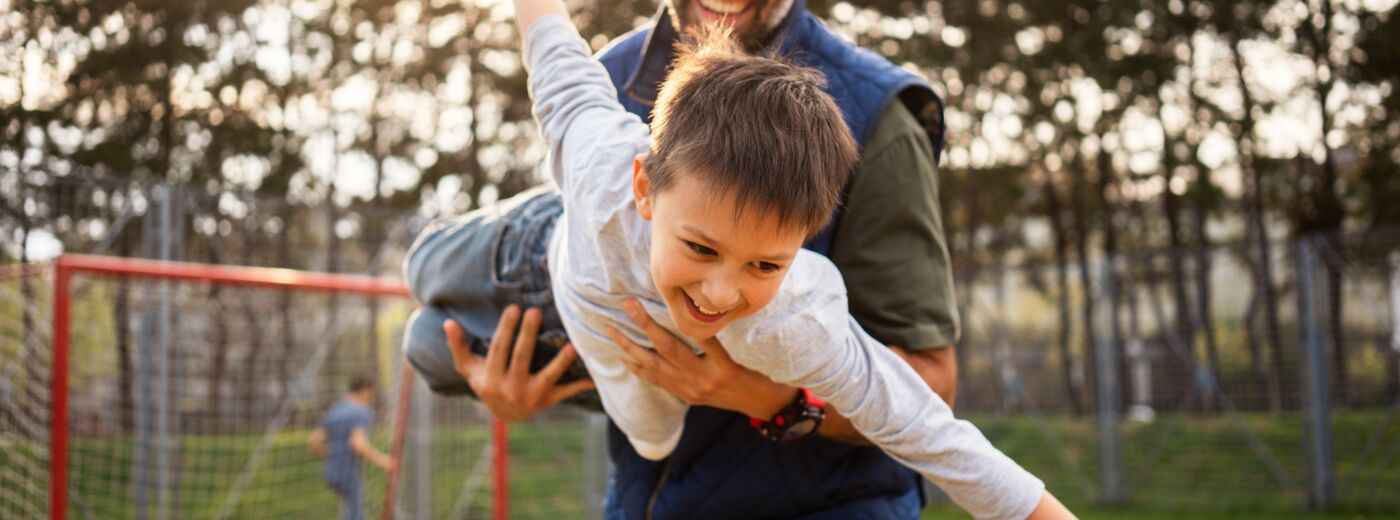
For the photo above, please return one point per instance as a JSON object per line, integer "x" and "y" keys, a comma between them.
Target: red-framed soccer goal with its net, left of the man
{"x": 160, "y": 390}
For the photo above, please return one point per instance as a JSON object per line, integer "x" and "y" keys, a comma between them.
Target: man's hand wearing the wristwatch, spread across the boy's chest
{"x": 713, "y": 381}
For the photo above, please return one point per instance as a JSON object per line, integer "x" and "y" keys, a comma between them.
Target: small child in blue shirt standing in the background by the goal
{"x": 342, "y": 439}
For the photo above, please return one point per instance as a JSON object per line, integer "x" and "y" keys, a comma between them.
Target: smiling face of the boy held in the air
{"x": 709, "y": 267}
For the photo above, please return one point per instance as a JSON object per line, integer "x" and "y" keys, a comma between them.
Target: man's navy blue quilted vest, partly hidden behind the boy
{"x": 723, "y": 469}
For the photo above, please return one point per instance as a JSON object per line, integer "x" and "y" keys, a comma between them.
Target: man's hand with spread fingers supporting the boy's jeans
{"x": 512, "y": 393}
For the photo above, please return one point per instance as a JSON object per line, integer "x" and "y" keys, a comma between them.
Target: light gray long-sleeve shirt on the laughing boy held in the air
{"x": 806, "y": 337}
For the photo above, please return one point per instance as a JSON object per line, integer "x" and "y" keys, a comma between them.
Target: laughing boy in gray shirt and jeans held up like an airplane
{"x": 745, "y": 159}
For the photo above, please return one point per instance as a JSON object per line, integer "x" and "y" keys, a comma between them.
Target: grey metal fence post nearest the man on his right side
{"x": 1108, "y": 393}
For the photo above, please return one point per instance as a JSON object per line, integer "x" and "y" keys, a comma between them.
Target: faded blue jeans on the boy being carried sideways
{"x": 470, "y": 270}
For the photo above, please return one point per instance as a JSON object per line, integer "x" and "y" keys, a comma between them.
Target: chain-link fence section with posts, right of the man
{"x": 1192, "y": 386}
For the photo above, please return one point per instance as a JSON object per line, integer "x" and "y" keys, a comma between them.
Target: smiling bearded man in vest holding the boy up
{"x": 890, "y": 247}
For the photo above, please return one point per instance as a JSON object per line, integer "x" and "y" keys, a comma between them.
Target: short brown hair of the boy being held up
{"x": 757, "y": 128}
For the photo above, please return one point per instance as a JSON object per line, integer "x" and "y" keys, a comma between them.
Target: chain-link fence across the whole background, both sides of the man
{"x": 1181, "y": 382}
